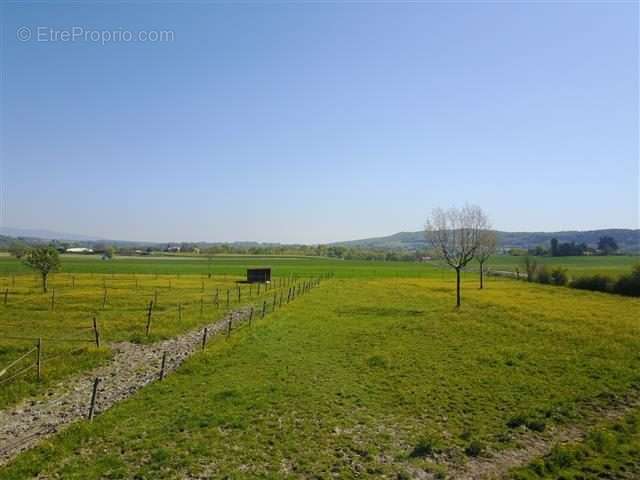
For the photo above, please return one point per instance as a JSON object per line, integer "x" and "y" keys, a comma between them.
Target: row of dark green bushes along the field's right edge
{"x": 627, "y": 284}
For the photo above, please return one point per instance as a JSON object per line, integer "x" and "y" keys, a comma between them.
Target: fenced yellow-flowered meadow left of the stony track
{"x": 63, "y": 318}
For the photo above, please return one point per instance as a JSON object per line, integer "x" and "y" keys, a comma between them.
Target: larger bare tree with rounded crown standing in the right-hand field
{"x": 455, "y": 236}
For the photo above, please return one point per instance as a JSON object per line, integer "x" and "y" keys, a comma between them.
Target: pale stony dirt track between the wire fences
{"x": 131, "y": 368}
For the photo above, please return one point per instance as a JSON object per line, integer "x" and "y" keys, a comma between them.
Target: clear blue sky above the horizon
{"x": 317, "y": 121}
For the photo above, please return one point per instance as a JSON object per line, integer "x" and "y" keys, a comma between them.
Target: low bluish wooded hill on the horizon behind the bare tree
{"x": 628, "y": 240}
